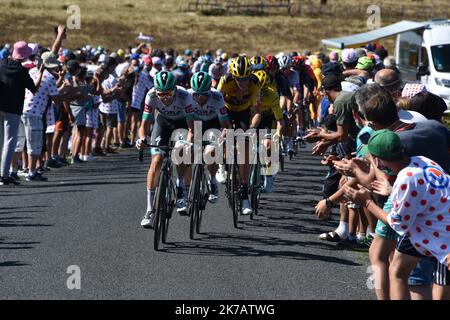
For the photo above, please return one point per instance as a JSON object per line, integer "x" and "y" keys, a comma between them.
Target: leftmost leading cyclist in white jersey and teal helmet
{"x": 167, "y": 107}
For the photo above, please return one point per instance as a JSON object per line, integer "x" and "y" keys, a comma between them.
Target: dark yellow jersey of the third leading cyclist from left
{"x": 235, "y": 99}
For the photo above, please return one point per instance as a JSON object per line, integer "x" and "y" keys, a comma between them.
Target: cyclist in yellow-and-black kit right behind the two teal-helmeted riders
{"x": 240, "y": 90}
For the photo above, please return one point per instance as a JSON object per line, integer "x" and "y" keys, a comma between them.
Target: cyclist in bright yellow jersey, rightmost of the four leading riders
{"x": 271, "y": 116}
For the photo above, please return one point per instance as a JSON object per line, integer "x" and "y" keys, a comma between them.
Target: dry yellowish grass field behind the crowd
{"x": 115, "y": 23}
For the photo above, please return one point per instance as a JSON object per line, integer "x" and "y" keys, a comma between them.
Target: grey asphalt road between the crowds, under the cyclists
{"x": 88, "y": 215}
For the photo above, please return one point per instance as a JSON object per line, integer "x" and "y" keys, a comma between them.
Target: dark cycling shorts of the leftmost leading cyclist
{"x": 162, "y": 132}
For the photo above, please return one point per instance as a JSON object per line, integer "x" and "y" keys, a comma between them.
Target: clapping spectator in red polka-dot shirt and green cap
{"x": 420, "y": 213}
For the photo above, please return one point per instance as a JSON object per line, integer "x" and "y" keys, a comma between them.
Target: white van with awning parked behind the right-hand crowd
{"x": 423, "y": 55}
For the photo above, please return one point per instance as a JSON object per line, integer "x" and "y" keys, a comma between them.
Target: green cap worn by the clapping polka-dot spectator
{"x": 385, "y": 144}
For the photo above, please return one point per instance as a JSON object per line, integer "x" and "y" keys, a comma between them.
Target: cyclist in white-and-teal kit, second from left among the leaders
{"x": 209, "y": 108}
